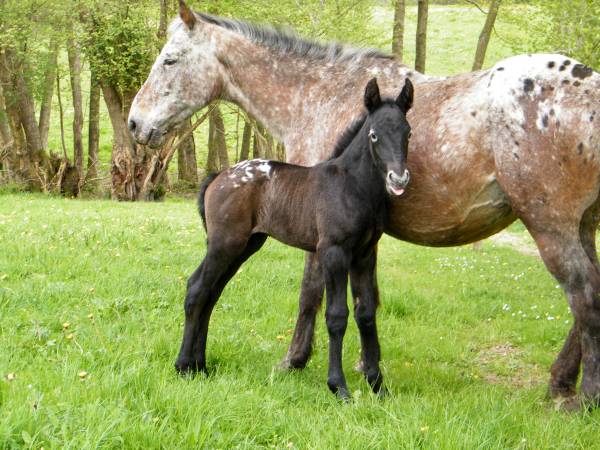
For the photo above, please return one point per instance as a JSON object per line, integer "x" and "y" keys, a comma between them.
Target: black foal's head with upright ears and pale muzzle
{"x": 389, "y": 132}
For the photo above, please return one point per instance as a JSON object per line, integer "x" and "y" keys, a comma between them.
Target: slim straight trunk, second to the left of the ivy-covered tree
{"x": 75, "y": 75}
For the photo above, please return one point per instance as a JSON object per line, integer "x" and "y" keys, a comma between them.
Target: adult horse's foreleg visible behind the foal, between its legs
{"x": 311, "y": 296}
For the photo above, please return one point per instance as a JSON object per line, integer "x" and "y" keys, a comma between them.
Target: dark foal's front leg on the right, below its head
{"x": 363, "y": 281}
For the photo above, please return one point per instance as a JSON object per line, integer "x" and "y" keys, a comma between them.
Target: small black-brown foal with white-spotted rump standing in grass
{"x": 336, "y": 209}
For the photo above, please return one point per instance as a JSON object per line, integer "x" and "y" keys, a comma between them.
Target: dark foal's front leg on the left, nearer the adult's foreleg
{"x": 335, "y": 262}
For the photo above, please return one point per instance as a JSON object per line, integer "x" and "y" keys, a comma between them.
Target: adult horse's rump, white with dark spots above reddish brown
{"x": 545, "y": 134}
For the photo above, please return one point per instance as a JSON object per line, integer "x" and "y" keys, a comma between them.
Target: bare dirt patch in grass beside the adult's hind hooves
{"x": 494, "y": 363}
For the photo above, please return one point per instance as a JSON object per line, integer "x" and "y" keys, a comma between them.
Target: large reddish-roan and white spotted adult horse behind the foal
{"x": 520, "y": 140}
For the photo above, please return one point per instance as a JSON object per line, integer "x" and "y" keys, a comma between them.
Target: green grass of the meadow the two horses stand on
{"x": 466, "y": 341}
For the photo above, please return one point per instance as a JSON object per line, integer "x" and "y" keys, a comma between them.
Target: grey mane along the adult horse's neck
{"x": 287, "y": 41}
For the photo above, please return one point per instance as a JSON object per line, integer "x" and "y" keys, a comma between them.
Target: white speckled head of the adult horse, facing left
{"x": 184, "y": 78}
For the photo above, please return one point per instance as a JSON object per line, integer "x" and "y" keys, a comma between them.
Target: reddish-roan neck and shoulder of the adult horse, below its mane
{"x": 298, "y": 99}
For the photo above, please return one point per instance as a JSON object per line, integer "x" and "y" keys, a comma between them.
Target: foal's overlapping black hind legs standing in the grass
{"x": 223, "y": 259}
